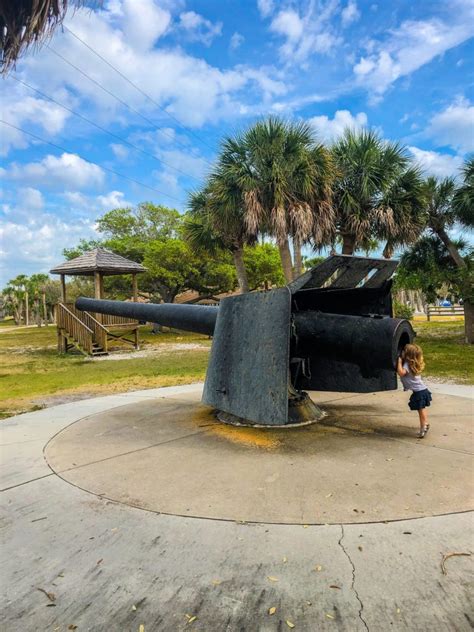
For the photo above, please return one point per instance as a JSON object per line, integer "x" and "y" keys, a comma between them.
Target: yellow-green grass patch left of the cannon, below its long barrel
{"x": 31, "y": 368}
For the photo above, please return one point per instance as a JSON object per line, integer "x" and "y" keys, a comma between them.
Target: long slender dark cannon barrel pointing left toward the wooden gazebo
{"x": 199, "y": 319}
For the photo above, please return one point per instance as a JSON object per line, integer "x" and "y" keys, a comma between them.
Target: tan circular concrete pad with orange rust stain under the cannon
{"x": 362, "y": 463}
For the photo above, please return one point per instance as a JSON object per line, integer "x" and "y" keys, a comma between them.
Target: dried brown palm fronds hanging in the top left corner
{"x": 25, "y": 23}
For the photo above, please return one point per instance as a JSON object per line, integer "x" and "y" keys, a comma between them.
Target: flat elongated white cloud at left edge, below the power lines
{"x": 67, "y": 170}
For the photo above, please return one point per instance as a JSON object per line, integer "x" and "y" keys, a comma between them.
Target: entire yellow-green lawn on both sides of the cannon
{"x": 31, "y": 369}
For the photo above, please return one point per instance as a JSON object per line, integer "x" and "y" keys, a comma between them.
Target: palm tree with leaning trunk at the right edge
{"x": 446, "y": 206}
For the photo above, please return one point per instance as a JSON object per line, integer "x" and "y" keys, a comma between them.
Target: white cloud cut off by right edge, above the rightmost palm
{"x": 454, "y": 126}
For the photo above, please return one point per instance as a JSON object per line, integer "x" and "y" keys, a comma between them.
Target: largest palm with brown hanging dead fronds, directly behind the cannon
{"x": 285, "y": 179}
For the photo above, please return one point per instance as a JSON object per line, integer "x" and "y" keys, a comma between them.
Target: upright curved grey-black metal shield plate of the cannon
{"x": 248, "y": 368}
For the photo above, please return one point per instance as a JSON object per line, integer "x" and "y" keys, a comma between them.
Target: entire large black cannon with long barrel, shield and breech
{"x": 329, "y": 330}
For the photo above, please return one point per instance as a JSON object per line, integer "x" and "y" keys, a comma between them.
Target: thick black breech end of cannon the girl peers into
{"x": 373, "y": 340}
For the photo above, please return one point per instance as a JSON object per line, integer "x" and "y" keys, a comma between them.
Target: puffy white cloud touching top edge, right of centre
{"x": 306, "y": 34}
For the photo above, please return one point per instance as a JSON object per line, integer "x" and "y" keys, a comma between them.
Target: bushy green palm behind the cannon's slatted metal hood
{"x": 376, "y": 193}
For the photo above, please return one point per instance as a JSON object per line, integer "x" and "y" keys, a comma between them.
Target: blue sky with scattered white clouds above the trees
{"x": 210, "y": 69}
